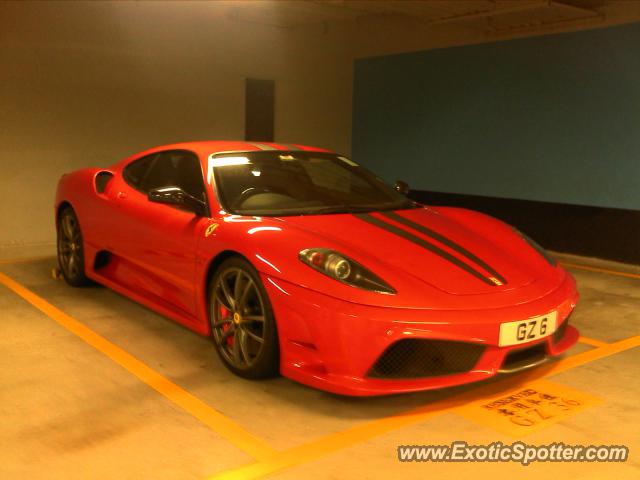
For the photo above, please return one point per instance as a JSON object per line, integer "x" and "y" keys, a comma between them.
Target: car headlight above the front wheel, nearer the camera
{"x": 344, "y": 269}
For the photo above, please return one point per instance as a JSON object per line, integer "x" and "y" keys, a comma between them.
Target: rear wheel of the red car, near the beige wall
{"x": 71, "y": 249}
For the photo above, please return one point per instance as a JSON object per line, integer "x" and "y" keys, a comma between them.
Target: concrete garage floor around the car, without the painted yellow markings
{"x": 68, "y": 411}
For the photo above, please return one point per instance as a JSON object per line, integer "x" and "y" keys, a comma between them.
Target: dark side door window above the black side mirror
{"x": 176, "y": 168}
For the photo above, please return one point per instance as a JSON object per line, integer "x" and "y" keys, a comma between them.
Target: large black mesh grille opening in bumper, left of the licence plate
{"x": 419, "y": 358}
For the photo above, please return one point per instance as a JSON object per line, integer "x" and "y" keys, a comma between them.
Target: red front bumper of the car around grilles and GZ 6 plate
{"x": 332, "y": 344}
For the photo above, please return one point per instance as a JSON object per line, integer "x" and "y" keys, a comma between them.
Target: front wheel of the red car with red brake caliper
{"x": 242, "y": 322}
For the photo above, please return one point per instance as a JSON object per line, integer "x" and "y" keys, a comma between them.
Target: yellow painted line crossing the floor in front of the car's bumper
{"x": 365, "y": 431}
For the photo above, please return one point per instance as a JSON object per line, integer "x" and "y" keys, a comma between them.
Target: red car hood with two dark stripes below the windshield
{"x": 468, "y": 254}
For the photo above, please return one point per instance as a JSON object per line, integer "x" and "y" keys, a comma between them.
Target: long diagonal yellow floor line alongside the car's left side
{"x": 221, "y": 424}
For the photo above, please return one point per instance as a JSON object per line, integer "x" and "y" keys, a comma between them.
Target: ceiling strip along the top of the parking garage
{"x": 490, "y": 15}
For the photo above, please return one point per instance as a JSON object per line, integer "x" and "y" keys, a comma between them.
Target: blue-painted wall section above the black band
{"x": 550, "y": 118}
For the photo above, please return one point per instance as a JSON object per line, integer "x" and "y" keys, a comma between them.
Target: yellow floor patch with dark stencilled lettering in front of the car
{"x": 528, "y": 409}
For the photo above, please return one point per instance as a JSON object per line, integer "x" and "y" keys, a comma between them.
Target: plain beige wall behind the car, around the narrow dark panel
{"x": 87, "y": 83}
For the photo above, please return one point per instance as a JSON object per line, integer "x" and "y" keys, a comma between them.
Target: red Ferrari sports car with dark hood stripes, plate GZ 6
{"x": 298, "y": 260}
